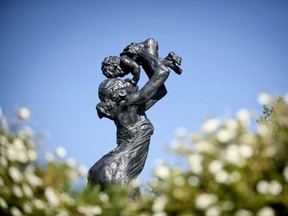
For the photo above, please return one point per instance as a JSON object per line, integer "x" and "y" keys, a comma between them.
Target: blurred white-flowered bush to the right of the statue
{"x": 231, "y": 168}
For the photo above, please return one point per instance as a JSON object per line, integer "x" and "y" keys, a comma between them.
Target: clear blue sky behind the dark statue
{"x": 51, "y": 53}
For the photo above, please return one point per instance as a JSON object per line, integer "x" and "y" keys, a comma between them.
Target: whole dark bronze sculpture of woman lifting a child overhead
{"x": 125, "y": 104}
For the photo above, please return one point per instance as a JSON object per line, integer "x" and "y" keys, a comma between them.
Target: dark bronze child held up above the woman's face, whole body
{"x": 114, "y": 66}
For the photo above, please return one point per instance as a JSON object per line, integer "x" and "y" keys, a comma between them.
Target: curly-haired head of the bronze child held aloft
{"x": 111, "y": 67}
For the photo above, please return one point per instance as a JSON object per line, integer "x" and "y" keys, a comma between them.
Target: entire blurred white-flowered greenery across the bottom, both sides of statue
{"x": 229, "y": 167}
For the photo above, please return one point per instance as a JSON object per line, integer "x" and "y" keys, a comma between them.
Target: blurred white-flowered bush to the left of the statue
{"x": 28, "y": 187}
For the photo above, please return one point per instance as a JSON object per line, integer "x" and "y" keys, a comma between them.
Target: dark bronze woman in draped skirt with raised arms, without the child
{"x": 125, "y": 104}
